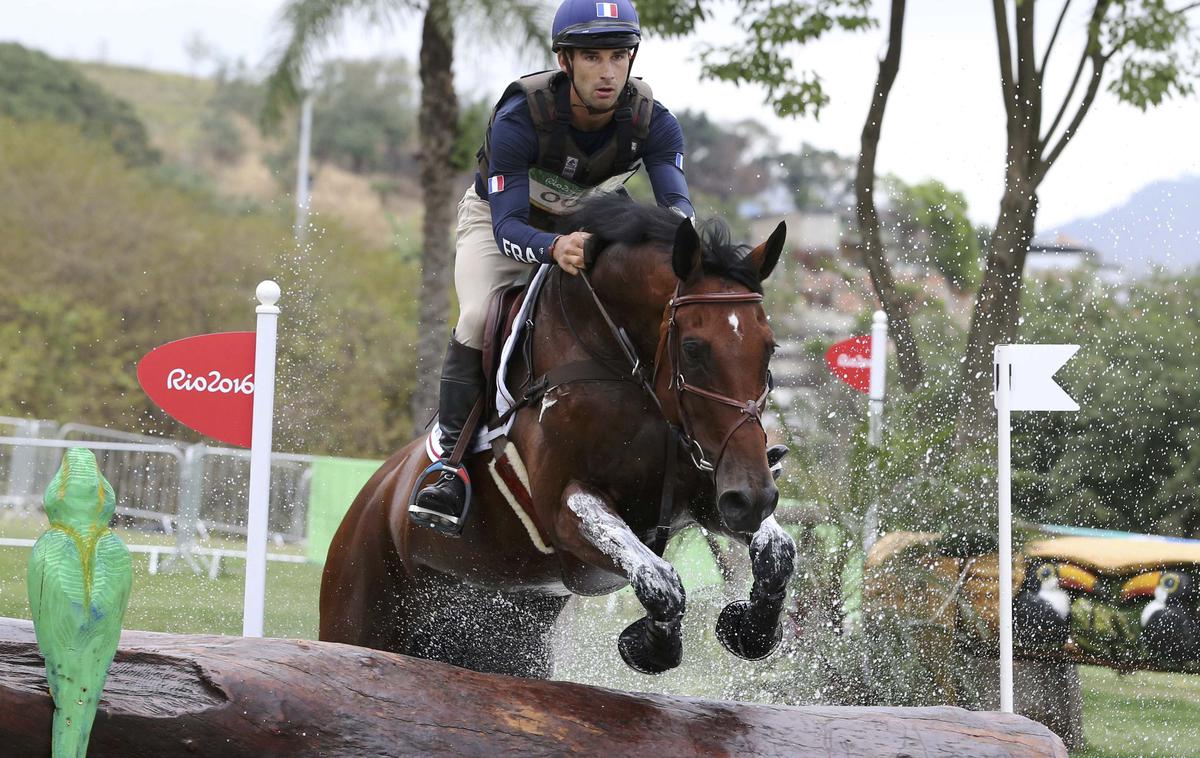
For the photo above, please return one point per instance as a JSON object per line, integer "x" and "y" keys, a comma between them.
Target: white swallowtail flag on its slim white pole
{"x": 1024, "y": 381}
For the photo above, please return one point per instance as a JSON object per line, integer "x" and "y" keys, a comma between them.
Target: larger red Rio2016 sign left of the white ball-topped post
{"x": 206, "y": 383}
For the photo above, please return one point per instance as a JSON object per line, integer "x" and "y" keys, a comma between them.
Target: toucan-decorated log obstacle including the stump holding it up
{"x": 1121, "y": 601}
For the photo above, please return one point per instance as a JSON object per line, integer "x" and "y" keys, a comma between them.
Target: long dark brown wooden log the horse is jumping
{"x": 184, "y": 695}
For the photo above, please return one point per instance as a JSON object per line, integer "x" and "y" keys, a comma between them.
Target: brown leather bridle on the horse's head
{"x": 751, "y": 411}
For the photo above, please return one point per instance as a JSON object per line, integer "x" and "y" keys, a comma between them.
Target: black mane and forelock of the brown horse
{"x": 614, "y": 219}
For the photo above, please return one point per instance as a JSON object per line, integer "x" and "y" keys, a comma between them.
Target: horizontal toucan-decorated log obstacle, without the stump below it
{"x": 1124, "y": 601}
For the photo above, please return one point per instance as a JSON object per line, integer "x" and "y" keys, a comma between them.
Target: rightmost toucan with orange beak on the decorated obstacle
{"x": 1169, "y": 625}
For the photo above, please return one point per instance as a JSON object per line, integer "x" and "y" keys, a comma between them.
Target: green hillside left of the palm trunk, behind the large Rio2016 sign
{"x": 122, "y": 230}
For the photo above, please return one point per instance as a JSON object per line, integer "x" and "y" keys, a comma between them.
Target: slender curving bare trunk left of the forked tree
{"x": 908, "y": 356}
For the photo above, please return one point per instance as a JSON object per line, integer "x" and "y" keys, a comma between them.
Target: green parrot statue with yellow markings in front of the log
{"x": 80, "y": 579}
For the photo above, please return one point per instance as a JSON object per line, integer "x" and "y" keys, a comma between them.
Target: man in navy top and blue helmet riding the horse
{"x": 553, "y": 136}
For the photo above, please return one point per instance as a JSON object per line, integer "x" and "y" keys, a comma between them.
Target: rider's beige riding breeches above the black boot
{"x": 479, "y": 268}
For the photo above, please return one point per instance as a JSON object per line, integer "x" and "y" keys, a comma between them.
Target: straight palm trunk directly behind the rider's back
{"x": 439, "y": 124}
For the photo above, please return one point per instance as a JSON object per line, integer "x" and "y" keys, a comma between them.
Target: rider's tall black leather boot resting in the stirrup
{"x": 441, "y": 504}
